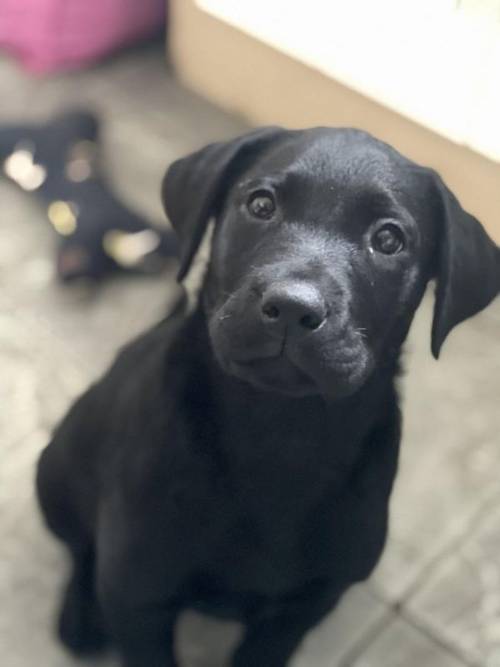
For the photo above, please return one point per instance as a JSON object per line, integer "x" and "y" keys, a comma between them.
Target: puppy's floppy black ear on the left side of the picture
{"x": 194, "y": 186}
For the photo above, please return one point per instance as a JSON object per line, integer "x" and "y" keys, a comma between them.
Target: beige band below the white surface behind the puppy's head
{"x": 266, "y": 87}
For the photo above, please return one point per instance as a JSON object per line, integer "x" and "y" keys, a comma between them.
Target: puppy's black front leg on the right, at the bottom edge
{"x": 271, "y": 638}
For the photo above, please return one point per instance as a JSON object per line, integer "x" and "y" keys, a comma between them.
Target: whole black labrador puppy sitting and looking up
{"x": 239, "y": 458}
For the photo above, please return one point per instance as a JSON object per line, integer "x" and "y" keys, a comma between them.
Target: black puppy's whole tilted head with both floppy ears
{"x": 324, "y": 242}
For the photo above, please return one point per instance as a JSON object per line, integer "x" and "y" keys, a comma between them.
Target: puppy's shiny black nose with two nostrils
{"x": 296, "y": 306}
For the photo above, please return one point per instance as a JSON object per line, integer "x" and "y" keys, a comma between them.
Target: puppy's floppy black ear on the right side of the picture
{"x": 468, "y": 267}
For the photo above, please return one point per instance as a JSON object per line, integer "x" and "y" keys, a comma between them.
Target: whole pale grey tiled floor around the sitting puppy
{"x": 434, "y": 601}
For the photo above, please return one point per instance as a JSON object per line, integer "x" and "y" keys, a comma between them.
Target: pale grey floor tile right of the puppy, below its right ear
{"x": 450, "y": 453}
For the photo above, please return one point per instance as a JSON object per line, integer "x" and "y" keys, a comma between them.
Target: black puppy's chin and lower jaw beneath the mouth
{"x": 281, "y": 376}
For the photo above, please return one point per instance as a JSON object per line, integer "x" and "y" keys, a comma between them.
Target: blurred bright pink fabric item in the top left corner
{"x": 49, "y": 35}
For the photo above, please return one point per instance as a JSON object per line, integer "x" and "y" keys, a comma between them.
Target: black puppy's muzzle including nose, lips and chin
{"x": 286, "y": 338}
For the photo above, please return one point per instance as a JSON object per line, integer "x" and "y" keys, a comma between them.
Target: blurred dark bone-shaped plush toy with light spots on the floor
{"x": 97, "y": 234}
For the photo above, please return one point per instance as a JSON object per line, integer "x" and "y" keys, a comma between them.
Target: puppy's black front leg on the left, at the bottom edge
{"x": 136, "y": 586}
